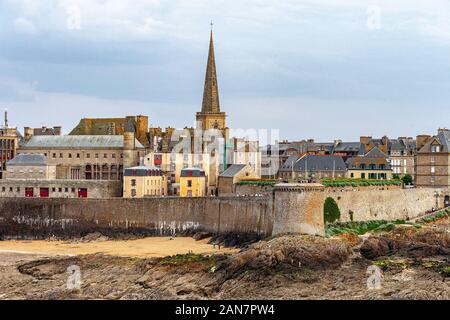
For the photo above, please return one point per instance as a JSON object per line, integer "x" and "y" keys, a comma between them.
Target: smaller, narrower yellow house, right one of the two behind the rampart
{"x": 193, "y": 183}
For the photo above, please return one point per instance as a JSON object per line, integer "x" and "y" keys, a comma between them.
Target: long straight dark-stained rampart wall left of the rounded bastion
{"x": 27, "y": 217}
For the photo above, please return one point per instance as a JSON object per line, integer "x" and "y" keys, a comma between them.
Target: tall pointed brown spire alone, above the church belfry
{"x": 211, "y": 102}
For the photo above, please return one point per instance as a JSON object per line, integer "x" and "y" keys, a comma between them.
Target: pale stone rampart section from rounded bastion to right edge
{"x": 300, "y": 209}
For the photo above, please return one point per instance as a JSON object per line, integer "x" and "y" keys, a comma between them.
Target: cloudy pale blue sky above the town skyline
{"x": 322, "y": 69}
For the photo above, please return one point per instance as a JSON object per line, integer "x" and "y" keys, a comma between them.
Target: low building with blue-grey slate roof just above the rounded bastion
{"x": 313, "y": 167}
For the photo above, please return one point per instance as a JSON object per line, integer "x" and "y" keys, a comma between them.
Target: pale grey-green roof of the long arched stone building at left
{"x": 68, "y": 142}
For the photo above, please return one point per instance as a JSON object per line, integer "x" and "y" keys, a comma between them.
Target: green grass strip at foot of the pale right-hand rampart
{"x": 360, "y": 228}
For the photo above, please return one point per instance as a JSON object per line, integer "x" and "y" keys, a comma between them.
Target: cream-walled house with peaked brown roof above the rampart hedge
{"x": 373, "y": 165}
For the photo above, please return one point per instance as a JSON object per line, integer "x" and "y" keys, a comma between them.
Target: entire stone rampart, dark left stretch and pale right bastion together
{"x": 288, "y": 210}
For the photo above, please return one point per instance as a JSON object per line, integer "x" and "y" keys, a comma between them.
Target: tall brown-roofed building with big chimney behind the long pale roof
{"x": 114, "y": 126}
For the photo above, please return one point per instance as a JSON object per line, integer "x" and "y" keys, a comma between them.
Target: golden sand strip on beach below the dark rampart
{"x": 141, "y": 248}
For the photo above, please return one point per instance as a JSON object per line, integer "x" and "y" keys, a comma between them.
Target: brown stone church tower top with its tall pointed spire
{"x": 211, "y": 117}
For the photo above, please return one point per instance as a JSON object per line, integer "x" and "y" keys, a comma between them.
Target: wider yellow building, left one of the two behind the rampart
{"x": 143, "y": 181}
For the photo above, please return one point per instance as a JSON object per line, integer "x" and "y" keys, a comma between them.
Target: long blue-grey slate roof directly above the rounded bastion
{"x": 314, "y": 163}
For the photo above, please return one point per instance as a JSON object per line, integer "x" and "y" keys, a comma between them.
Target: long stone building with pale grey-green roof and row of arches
{"x": 87, "y": 157}
